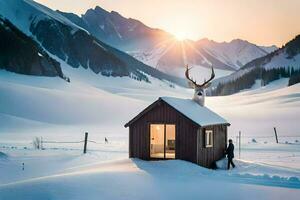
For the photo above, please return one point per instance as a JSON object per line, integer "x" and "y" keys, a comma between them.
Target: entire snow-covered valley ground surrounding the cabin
{"x": 59, "y": 111}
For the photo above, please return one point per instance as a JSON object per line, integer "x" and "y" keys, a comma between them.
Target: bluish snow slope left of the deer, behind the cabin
{"x": 89, "y": 99}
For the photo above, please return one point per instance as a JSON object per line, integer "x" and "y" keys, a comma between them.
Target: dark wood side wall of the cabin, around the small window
{"x": 208, "y": 155}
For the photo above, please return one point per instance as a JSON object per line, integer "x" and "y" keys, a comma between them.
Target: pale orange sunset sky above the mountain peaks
{"x": 264, "y": 22}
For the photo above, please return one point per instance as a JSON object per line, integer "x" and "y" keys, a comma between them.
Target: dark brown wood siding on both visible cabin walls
{"x": 190, "y": 141}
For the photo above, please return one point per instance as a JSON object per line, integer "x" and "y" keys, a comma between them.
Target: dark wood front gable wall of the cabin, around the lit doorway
{"x": 186, "y": 133}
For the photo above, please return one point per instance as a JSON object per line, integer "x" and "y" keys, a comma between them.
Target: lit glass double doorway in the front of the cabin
{"x": 162, "y": 141}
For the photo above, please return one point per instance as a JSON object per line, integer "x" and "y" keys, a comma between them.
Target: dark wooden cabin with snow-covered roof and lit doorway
{"x": 174, "y": 128}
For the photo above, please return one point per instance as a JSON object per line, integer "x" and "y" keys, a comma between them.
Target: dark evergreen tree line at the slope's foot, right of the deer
{"x": 247, "y": 80}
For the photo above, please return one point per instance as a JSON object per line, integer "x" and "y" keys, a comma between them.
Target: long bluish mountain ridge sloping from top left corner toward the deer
{"x": 73, "y": 44}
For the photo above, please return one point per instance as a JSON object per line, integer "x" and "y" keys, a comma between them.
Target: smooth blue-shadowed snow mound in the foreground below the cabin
{"x": 136, "y": 179}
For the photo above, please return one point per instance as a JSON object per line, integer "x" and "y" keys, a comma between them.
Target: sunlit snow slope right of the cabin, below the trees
{"x": 257, "y": 111}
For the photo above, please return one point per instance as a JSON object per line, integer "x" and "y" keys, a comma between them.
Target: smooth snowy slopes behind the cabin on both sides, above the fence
{"x": 104, "y": 103}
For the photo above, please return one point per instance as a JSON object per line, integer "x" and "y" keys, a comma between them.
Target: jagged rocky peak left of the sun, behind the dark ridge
{"x": 123, "y": 33}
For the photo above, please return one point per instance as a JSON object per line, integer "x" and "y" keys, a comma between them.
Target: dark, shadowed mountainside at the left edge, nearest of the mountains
{"x": 21, "y": 54}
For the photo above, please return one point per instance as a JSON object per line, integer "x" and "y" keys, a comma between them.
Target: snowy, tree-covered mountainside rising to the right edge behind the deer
{"x": 279, "y": 64}
